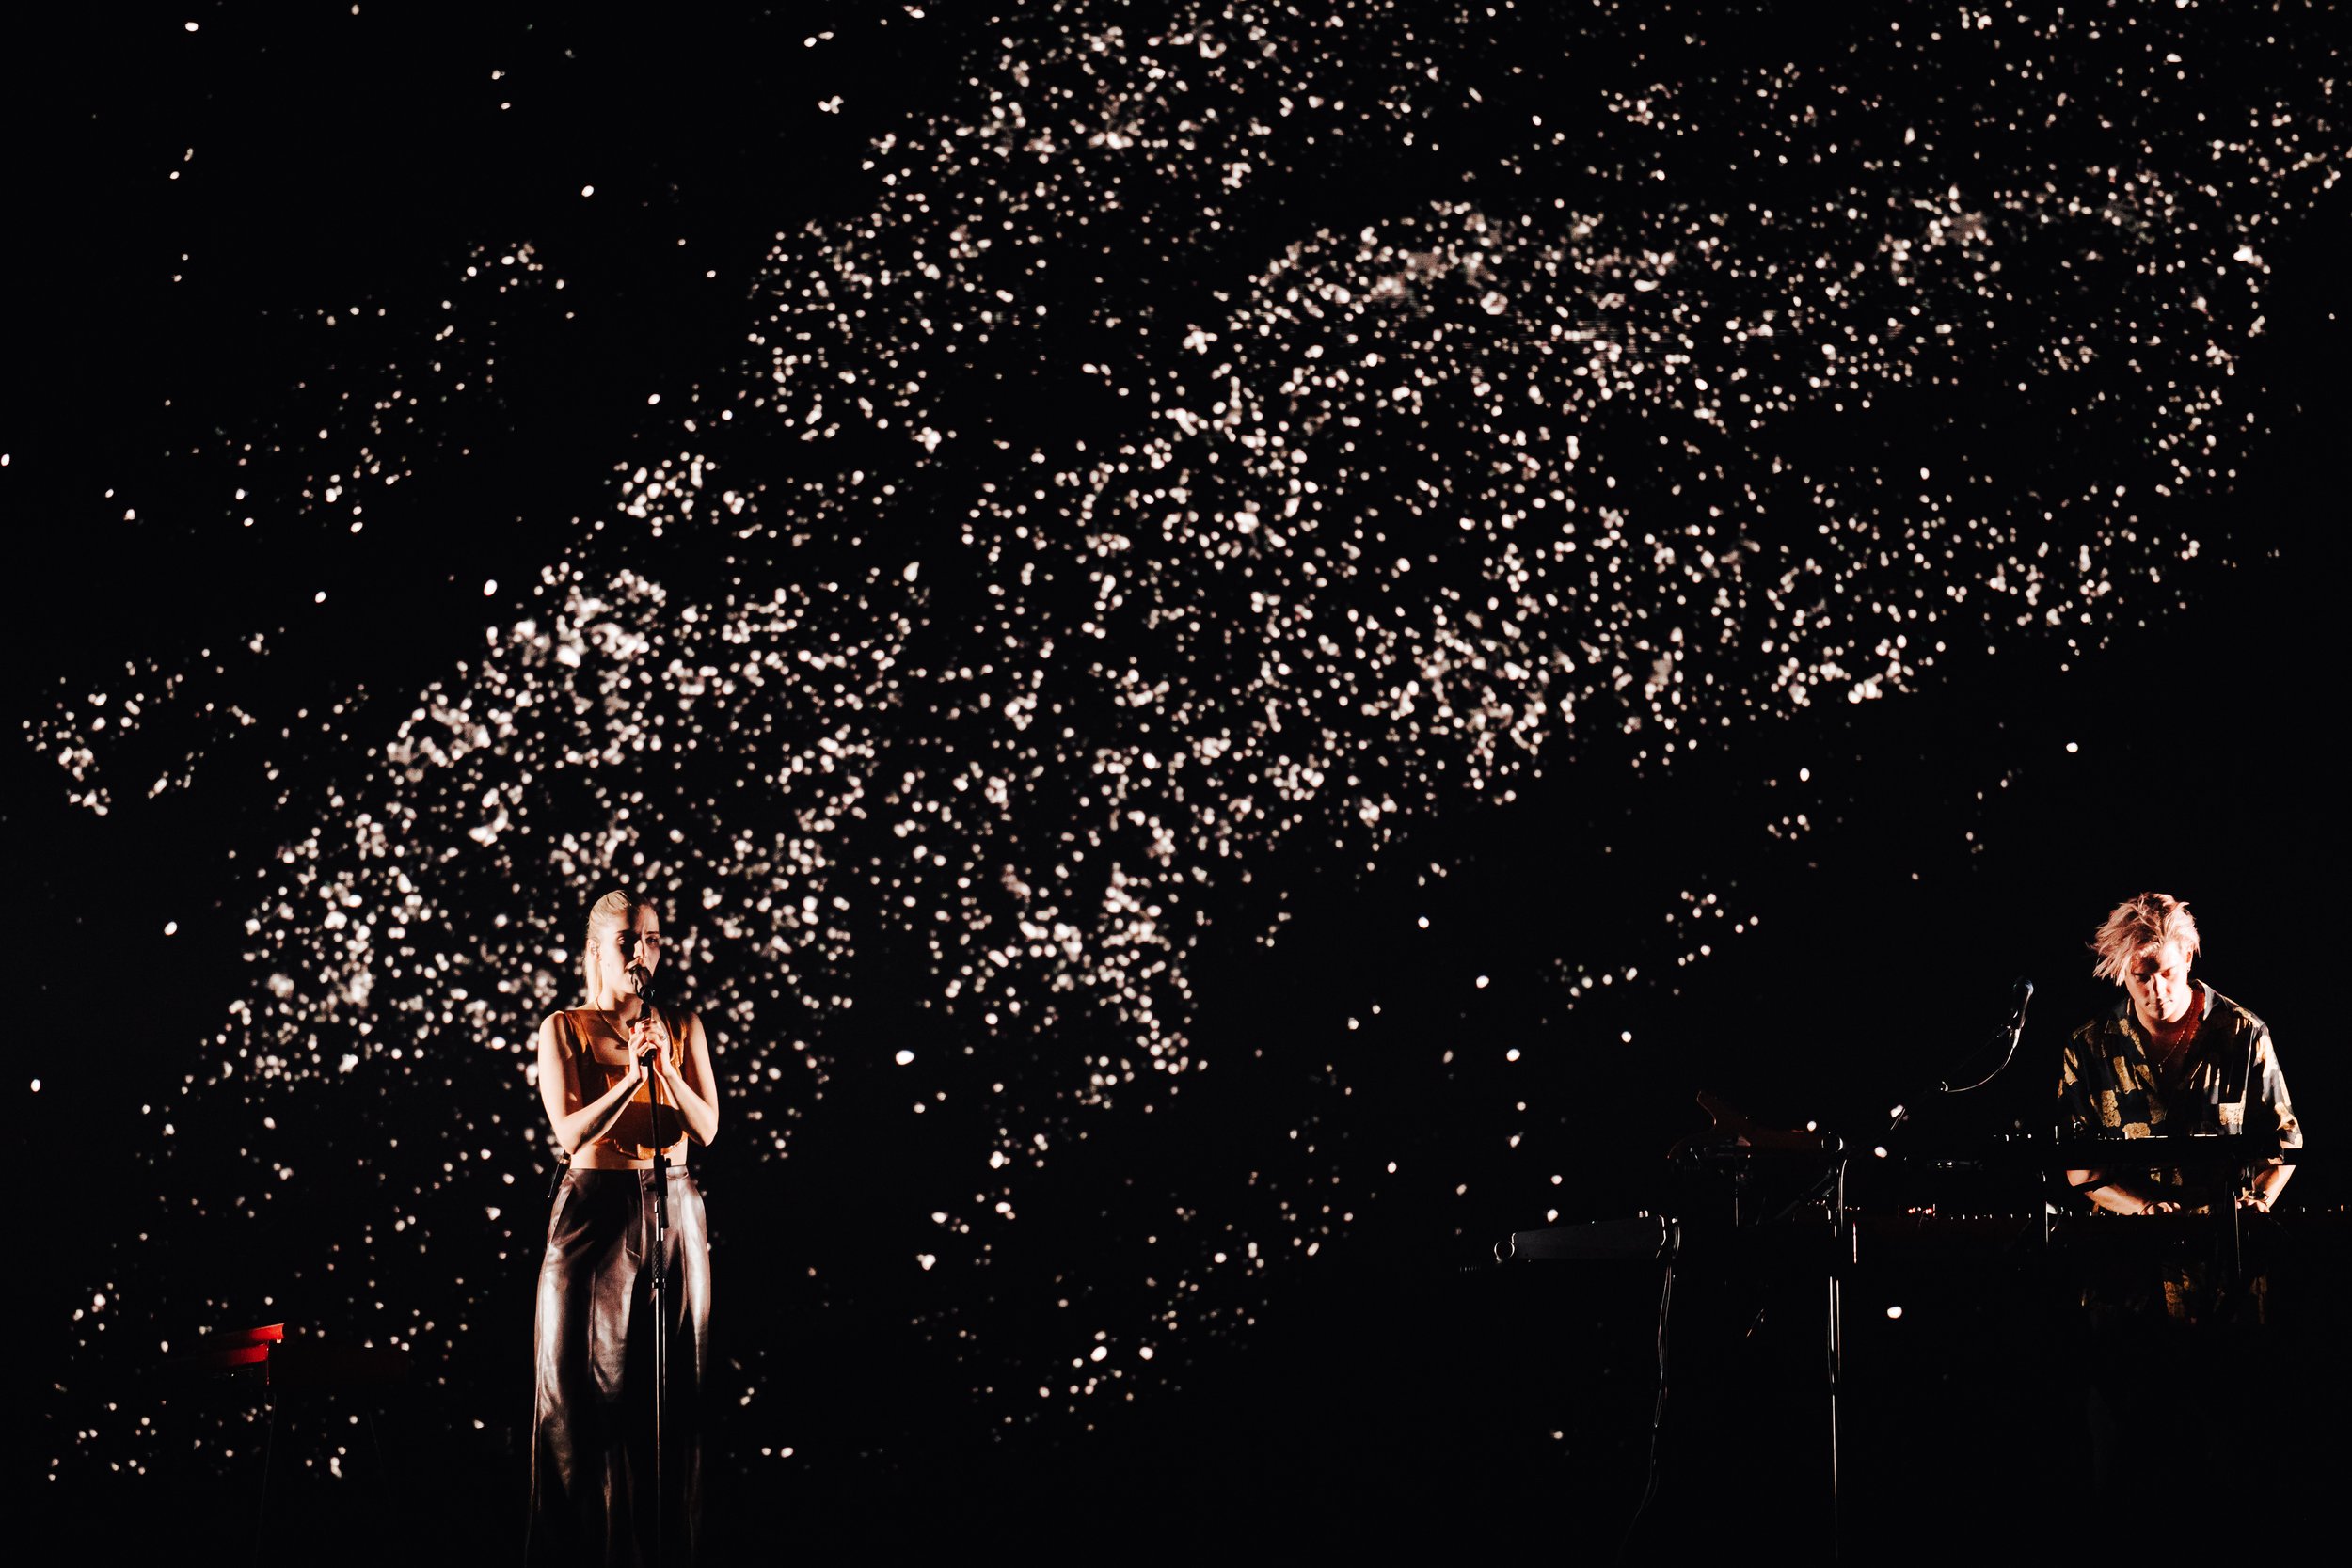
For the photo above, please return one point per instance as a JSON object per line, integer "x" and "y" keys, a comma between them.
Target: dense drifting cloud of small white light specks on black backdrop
{"x": 1662, "y": 391}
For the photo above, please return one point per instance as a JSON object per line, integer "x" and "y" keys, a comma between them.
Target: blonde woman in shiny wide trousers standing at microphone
{"x": 624, "y": 1085}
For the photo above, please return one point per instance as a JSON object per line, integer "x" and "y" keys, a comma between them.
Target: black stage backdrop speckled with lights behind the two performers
{"x": 1389, "y": 1043}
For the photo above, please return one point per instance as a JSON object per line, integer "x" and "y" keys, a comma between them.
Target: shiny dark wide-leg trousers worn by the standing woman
{"x": 594, "y": 1421}
